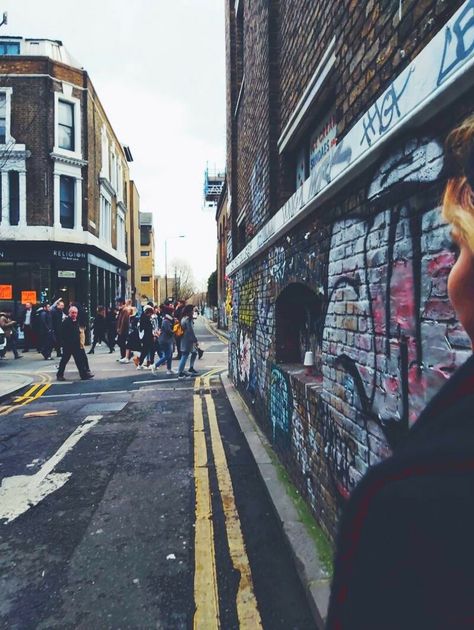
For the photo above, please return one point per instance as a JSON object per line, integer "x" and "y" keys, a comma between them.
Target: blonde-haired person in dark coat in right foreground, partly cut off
{"x": 405, "y": 549}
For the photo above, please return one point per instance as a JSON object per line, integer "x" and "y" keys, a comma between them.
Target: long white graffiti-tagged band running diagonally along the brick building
{"x": 450, "y": 52}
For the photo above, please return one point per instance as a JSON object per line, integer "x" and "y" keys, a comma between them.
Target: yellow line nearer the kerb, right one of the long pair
{"x": 247, "y": 609}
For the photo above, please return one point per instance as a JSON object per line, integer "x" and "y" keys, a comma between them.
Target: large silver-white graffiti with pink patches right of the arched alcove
{"x": 390, "y": 335}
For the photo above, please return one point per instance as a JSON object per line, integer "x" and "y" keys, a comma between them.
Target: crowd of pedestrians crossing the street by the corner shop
{"x": 147, "y": 339}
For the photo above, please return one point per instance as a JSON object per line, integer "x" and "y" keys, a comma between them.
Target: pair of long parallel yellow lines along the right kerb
{"x": 206, "y": 592}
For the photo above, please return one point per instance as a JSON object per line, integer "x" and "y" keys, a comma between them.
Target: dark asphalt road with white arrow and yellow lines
{"x": 137, "y": 505}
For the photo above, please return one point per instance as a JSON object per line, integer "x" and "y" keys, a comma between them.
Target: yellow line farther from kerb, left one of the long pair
{"x": 206, "y": 596}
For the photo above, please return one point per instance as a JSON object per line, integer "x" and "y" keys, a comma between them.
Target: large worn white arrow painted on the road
{"x": 21, "y": 492}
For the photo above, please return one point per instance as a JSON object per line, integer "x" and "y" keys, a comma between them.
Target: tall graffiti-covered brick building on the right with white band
{"x": 337, "y": 114}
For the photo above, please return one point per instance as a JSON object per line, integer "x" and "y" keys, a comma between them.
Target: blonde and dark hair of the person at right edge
{"x": 458, "y": 199}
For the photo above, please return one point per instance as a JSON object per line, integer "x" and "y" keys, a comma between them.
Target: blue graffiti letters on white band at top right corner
{"x": 458, "y": 42}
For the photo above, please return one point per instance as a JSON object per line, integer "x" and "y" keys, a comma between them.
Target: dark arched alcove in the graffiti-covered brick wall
{"x": 297, "y": 311}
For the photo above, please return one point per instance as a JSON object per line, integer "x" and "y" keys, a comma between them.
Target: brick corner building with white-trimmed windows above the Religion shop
{"x": 64, "y": 182}
